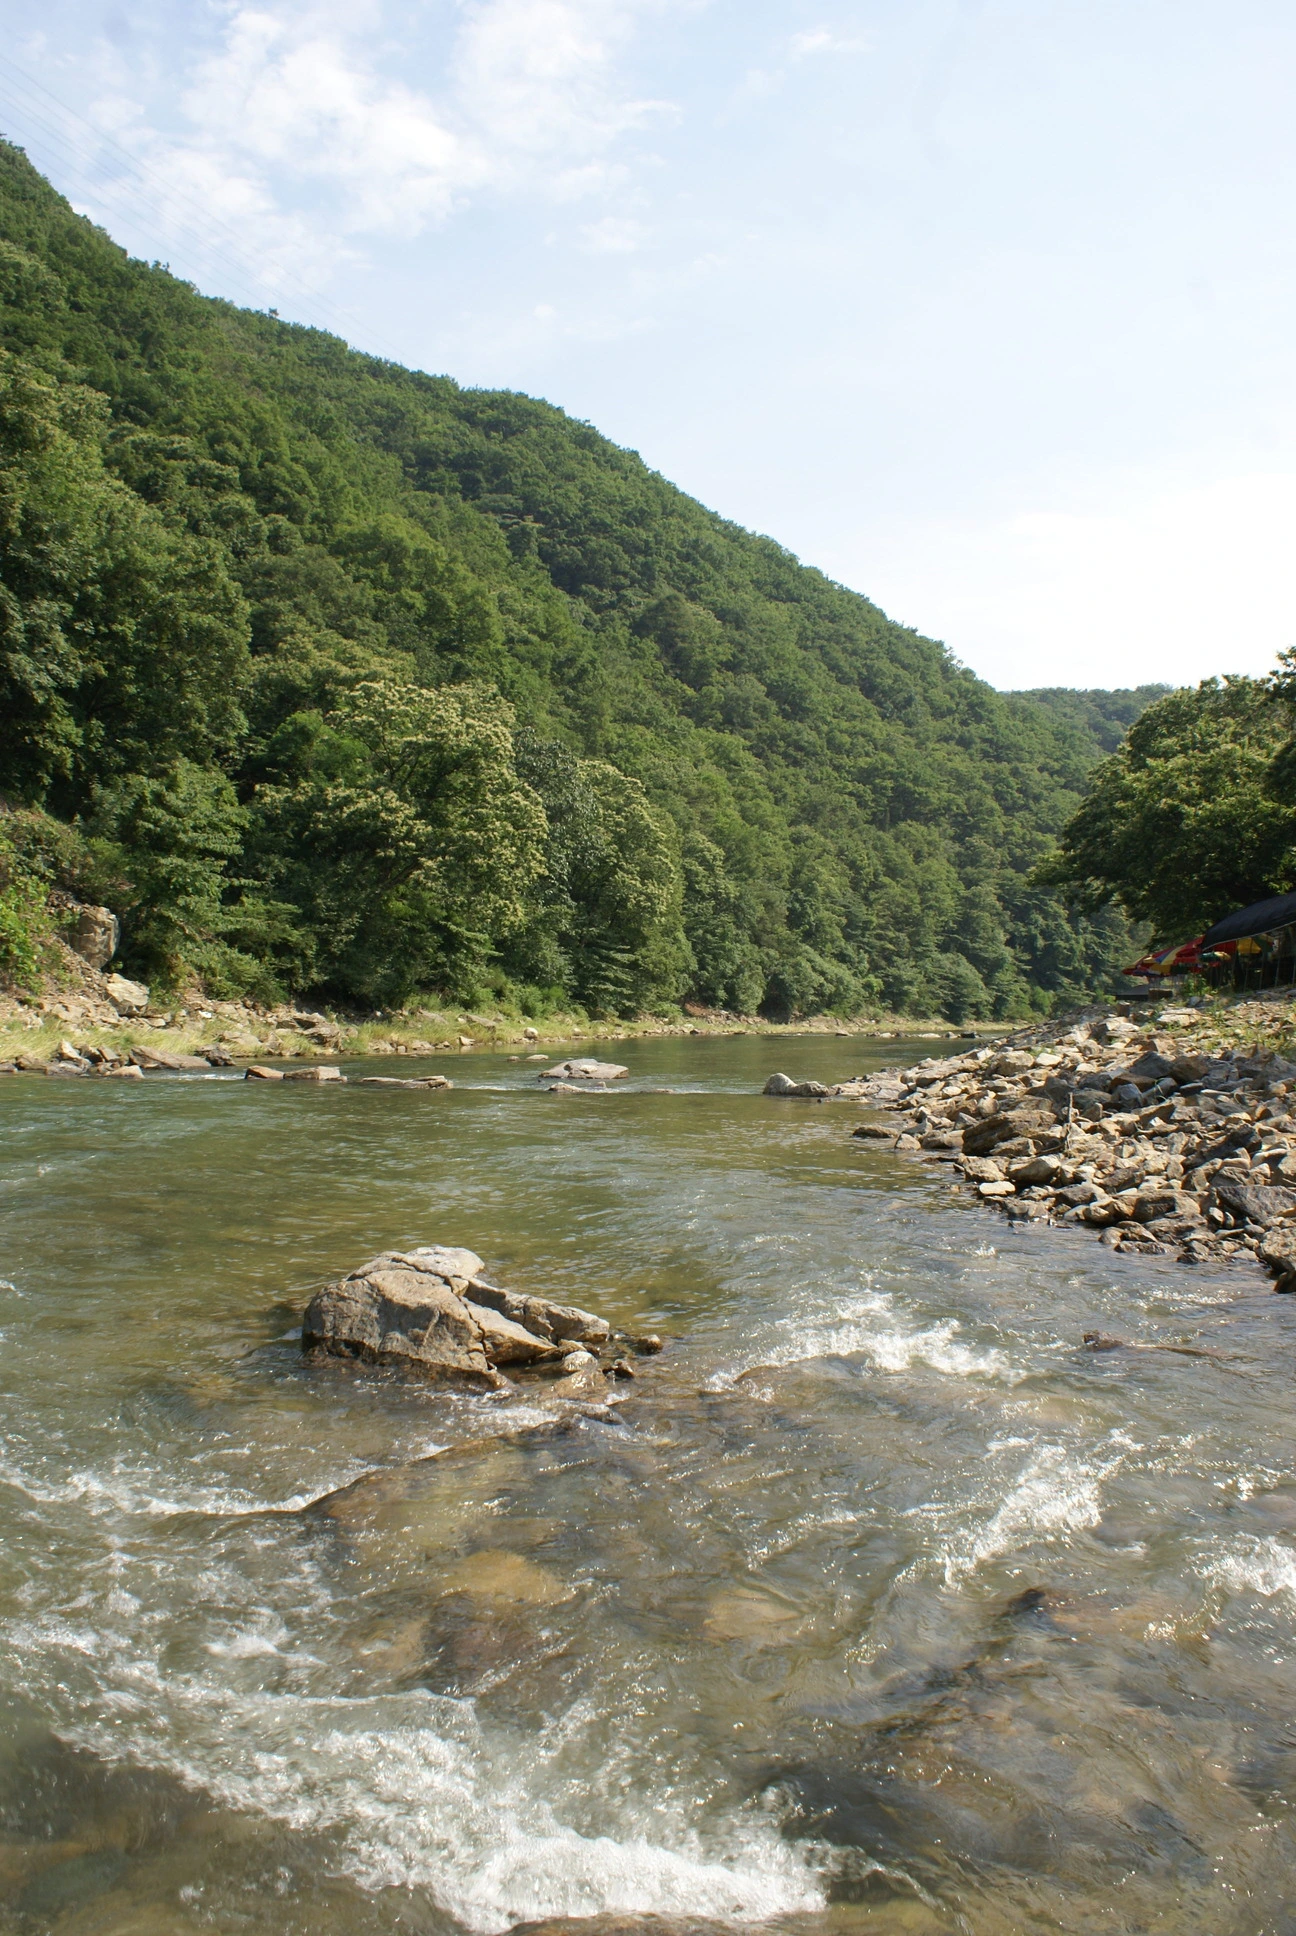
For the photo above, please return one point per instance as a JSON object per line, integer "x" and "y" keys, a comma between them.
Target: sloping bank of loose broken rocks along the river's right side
{"x": 1177, "y": 1137}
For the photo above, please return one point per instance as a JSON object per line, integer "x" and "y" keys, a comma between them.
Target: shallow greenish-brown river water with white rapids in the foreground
{"x": 879, "y": 1602}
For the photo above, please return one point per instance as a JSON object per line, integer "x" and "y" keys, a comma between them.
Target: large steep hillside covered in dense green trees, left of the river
{"x": 332, "y": 677}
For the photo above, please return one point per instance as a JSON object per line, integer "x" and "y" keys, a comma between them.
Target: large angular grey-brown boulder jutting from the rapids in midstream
{"x": 433, "y": 1312}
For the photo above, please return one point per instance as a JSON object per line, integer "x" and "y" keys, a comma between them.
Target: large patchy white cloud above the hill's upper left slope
{"x": 293, "y": 131}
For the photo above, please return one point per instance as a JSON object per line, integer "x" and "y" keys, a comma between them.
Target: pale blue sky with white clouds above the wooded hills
{"x": 983, "y": 307}
